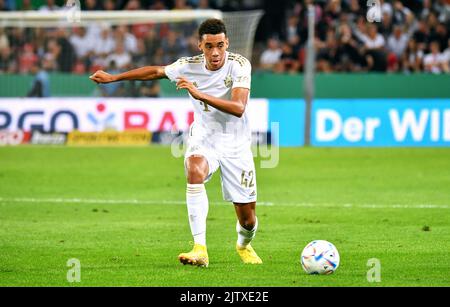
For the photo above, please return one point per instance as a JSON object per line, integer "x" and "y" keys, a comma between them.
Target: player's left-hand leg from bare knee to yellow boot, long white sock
{"x": 197, "y": 203}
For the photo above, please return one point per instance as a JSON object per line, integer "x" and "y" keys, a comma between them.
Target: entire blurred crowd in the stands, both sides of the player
{"x": 412, "y": 36}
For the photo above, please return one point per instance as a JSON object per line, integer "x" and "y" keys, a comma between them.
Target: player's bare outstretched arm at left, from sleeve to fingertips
{"x": 143, "y": 73}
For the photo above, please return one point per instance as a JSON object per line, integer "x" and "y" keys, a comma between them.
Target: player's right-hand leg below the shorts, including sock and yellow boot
{"x": 246, "y": 228}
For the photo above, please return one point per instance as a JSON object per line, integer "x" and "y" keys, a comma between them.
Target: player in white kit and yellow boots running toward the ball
{"x": 218, "y": 83}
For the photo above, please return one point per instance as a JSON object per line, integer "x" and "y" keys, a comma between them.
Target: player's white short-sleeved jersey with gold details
{"x": 227, "y": 134}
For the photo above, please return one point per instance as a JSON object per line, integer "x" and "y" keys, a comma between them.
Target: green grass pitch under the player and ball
{"x": 121, "y": 212}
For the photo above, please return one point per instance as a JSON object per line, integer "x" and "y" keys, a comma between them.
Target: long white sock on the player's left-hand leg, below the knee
{"x": 197, "y": 205}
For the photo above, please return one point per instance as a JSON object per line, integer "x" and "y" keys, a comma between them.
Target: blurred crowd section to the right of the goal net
{"x": 412, "y": 36}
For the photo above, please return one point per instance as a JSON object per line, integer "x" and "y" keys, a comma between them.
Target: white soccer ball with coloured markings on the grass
{"x": 320, "y": 257}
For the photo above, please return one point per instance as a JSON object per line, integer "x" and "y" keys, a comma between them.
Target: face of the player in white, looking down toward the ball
{"x": 213, "y": 47}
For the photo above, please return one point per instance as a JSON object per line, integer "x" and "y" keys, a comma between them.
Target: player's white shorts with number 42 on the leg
{"x": 237, "y": 174}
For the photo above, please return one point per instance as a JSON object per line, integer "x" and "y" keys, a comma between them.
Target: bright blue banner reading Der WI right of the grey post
{"x": 381, "y": 122}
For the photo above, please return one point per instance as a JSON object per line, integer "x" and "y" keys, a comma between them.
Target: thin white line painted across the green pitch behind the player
{"x": 182, "y": 202}
